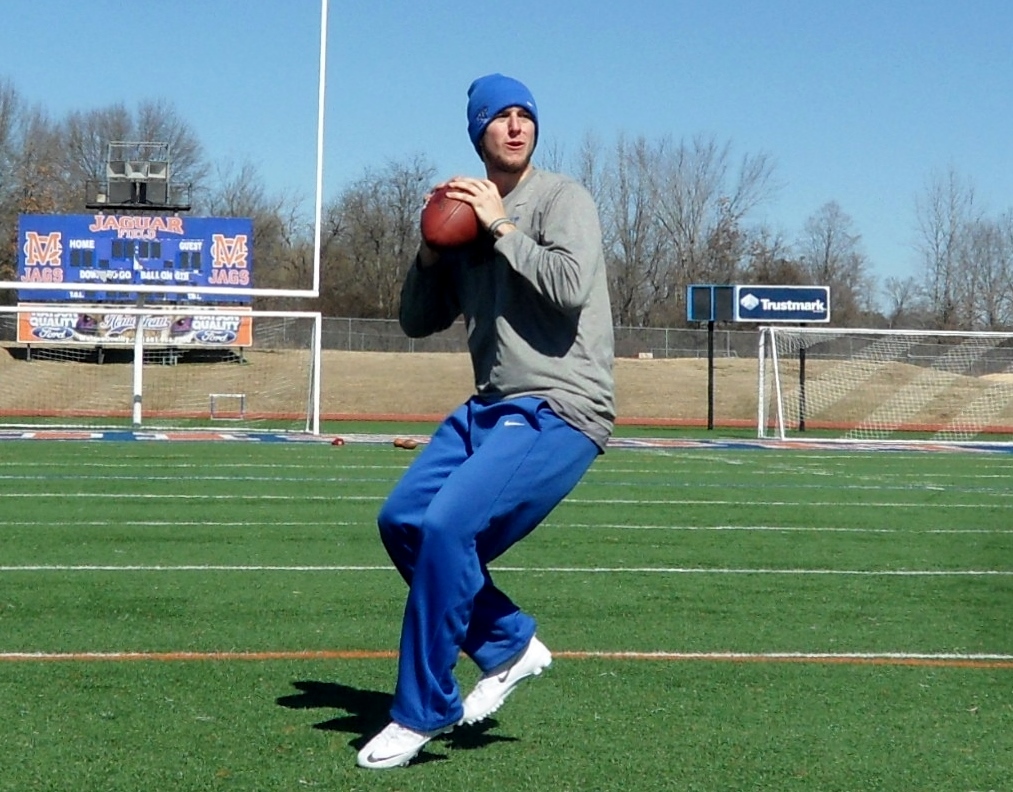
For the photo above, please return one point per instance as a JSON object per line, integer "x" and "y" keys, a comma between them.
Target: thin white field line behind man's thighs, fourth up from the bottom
{"x": 571, "y": 502}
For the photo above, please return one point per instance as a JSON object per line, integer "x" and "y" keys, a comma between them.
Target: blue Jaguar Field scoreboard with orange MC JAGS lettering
{"x": 169, "y": 251}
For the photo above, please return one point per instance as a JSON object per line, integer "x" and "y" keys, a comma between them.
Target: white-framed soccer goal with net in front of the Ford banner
{"x": 167, "y": 368}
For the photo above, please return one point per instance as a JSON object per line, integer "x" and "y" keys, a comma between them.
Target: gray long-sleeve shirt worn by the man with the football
{"x": 535, "y": 303}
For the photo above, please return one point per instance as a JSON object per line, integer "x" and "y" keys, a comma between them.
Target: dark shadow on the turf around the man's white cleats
{"x": 367, "y": 714}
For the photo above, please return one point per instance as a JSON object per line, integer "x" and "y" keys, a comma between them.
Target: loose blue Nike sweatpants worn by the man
{"x": 488, "y": 478}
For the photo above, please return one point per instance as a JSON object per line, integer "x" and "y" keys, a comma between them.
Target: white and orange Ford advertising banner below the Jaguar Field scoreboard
{"x": 95, "y": 326}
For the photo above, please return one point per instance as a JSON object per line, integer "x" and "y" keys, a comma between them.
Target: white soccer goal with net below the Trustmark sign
{"x": 885, "y": 385}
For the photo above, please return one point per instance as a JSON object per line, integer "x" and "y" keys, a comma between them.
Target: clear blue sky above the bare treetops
{"x": 859, "y": 103}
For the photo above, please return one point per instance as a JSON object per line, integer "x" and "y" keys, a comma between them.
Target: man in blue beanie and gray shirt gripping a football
{"x": 535, "y": 301}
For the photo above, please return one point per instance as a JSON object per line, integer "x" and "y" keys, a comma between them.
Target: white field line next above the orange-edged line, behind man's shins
{"x": 533, "y": 570}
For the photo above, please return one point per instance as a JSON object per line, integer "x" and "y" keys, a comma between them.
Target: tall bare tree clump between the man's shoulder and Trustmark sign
{"x": 672, "y": 215}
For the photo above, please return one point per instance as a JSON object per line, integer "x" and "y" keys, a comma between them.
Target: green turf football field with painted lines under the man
{"x": 221, "y": 616}
